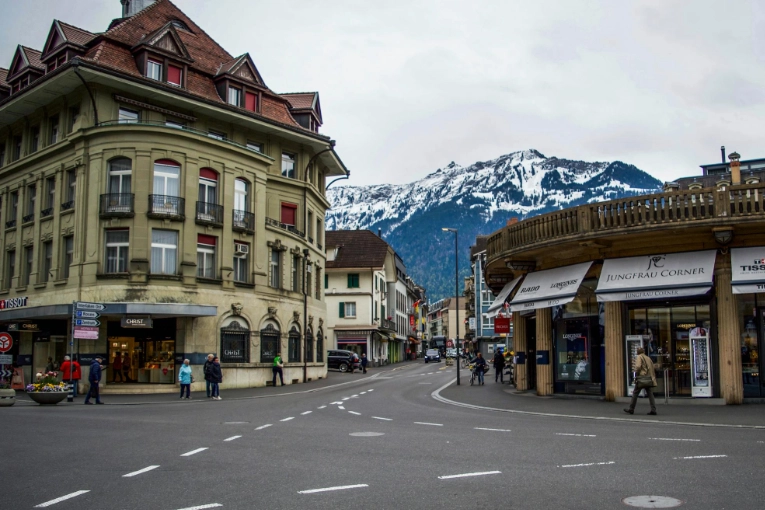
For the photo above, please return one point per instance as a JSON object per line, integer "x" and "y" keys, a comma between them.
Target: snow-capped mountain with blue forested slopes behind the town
{"x": 476, "y": 200}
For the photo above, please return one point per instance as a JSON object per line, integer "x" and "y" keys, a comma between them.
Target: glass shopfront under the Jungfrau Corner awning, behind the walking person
{"x": 666, "y": 331}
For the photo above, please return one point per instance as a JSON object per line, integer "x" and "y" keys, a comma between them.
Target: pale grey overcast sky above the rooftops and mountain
{"x": 408, "y": 86}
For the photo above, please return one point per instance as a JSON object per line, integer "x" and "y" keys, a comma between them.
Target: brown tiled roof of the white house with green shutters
{"x": 358, "y": 248}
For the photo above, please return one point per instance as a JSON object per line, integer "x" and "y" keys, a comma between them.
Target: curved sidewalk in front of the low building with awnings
{"x": 505, "y": 398}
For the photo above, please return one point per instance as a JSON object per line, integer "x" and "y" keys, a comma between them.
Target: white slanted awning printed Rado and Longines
{"x": 551, "y": 287}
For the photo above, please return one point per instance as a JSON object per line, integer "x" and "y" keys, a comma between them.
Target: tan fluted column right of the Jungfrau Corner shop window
{"x": 728, "y": 334}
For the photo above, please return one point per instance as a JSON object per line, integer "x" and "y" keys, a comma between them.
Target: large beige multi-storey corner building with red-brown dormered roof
{"x": 148, "y": 169}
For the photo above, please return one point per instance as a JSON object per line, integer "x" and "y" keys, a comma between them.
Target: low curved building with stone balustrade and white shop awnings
{"x": 680, "y": 273}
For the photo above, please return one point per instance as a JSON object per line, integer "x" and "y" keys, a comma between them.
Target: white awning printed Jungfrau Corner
{"x": 656, "y": 276}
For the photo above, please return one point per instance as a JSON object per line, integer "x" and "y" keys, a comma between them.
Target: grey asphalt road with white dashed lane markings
{"x": 380, "y": 441}
